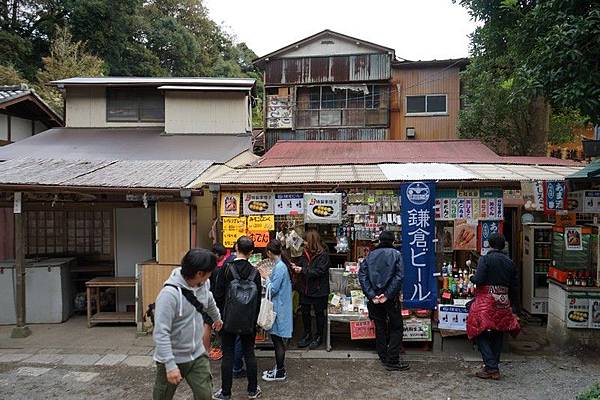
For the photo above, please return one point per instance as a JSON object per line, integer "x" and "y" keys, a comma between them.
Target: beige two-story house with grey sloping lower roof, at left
{"x": 119, "y": 187}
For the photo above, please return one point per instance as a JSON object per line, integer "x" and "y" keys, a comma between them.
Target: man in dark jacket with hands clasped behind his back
{"x": 380, "y": 276}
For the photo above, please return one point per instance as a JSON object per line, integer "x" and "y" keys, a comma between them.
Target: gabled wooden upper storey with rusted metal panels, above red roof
{"x": 331, "y": 86}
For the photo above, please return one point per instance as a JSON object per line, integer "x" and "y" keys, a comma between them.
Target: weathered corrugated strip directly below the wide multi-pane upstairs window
{"x": 351, "y": 134}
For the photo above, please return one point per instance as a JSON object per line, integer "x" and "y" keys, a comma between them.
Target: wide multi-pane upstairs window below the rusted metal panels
{"x": 351, "y": 106}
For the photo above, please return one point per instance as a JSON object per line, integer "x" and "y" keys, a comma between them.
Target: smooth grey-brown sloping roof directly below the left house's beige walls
{"x": 126, "y": 144}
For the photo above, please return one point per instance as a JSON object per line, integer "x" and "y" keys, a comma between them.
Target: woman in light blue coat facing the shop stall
{"x": 280, "y": 285}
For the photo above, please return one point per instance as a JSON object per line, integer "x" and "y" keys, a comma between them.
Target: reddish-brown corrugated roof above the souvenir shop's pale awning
{"x": 335, "y": 152}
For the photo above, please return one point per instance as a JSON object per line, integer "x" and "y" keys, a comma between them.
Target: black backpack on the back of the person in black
{"x": 241, "y": 304}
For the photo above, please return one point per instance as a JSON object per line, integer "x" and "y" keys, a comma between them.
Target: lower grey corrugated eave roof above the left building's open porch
{"x": 157, "y": 174}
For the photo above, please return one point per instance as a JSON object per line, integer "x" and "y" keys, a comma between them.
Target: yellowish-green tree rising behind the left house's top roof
{"x": 67, "y": 58}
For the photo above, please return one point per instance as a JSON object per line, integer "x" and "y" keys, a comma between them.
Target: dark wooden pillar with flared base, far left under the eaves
{"x": 21, "y": 330}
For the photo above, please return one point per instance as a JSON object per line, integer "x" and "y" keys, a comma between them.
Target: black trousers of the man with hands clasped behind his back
{"x": 389, "y": 329}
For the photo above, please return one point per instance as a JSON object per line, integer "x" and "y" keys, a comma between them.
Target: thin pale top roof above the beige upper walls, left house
{"x": 154, "y": 81}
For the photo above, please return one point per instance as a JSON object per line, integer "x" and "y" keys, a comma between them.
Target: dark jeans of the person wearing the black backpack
{"x": 228, "y": 347}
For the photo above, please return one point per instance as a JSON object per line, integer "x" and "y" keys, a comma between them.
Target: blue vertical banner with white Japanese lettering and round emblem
{"x": 418, "y": 249}
